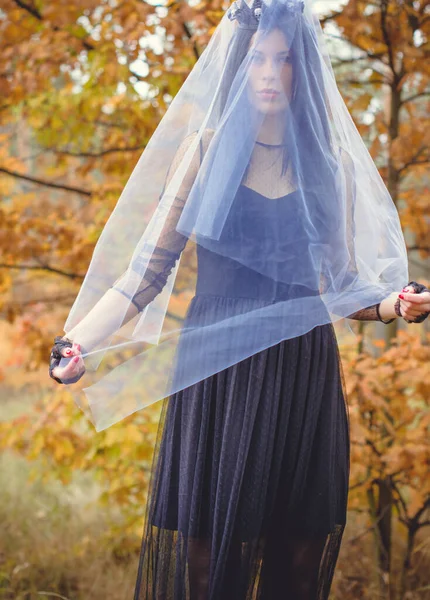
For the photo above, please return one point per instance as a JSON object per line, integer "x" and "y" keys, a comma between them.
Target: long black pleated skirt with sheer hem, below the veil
{"x": 249, "y": 486}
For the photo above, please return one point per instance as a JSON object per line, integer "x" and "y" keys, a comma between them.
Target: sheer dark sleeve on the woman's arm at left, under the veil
{"x": 158, "y": 261}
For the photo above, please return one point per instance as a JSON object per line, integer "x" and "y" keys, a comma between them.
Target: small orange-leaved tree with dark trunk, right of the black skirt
{"x": 388, "y": 399}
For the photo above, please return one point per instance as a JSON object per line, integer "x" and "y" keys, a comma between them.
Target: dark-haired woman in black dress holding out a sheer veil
{"x": 250, "y": 481}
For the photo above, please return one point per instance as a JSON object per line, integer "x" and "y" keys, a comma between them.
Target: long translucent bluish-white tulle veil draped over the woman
{"x": 263, "y": 86}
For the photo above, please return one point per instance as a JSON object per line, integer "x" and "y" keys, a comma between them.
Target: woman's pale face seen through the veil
{"x": 270, "y": 74}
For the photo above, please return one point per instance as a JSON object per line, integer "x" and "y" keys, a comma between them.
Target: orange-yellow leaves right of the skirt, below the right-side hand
{"x": 388, "y": 406}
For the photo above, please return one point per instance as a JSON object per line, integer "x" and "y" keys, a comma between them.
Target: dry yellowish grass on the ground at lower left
{"x": 51, "y": 545}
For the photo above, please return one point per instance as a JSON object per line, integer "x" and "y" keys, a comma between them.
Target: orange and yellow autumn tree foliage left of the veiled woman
{"x": 83, "y": 87}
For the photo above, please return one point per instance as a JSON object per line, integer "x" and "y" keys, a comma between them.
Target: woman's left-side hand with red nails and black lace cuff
{"x": 66, "y": 362}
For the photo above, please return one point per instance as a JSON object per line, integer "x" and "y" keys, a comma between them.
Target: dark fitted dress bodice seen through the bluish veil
{"x": 258, "y": 234}
